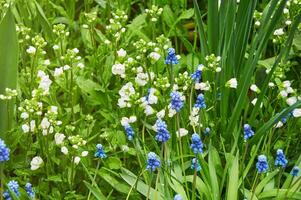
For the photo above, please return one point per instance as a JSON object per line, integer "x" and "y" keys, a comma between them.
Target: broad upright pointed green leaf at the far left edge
{"x": 8, "y": 66}
